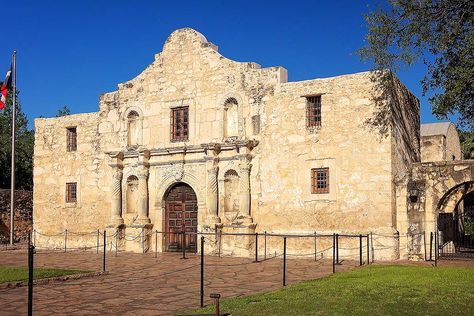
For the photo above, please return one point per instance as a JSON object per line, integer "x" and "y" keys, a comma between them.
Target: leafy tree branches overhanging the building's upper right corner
{"x": 438, "y": 32}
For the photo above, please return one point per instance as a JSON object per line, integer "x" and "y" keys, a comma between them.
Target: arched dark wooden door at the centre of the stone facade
{"x": 181, "y": 215}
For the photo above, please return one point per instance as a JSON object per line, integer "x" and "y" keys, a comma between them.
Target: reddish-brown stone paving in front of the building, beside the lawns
{"x": 139, "y": 284}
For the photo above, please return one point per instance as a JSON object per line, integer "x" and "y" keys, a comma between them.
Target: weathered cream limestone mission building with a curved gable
{"x": 201, "y": 143}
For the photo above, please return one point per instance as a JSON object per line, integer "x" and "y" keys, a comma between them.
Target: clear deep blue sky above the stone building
{"x": 69, "y": 52}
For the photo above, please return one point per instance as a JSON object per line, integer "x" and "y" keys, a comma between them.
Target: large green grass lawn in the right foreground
{"x": 374, "y": 290}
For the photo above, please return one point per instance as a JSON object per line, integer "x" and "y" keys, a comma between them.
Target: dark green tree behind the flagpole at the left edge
{"x": 24, "y": 148}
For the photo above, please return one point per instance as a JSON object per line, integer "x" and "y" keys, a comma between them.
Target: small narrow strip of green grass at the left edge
{"x": 12, "y": 274}
